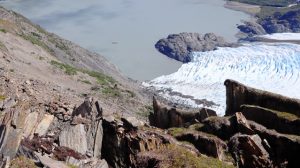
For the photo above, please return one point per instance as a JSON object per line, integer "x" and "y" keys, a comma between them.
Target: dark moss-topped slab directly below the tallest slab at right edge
{"x": 280, "y": 121}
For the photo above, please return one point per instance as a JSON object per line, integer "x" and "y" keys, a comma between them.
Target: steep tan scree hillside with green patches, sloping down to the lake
{"x": 29, "y": 53}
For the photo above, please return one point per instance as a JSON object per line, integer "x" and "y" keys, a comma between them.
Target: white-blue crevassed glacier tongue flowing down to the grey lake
{"x": 273, "y": 67}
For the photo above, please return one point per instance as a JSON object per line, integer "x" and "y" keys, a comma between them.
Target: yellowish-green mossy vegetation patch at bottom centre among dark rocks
{"x": 176, "y": 156}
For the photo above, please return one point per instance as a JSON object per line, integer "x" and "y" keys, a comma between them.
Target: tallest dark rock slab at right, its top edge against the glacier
{"x": 238, "y": 94}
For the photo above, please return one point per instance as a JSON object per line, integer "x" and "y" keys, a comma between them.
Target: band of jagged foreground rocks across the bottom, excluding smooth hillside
{"x": 260, "y": 129}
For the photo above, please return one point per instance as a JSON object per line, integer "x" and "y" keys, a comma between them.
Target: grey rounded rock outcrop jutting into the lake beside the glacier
{"x": 179, "y": 46}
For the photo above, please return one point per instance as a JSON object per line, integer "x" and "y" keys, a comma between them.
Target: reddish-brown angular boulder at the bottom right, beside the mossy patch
{"x": 248, "y": 151}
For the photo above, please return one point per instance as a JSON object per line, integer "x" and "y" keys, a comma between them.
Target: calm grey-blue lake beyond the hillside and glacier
{"x": 125, "y": 31}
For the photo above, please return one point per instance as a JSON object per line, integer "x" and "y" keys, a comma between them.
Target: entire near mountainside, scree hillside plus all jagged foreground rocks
{"x": 62, "y": 106}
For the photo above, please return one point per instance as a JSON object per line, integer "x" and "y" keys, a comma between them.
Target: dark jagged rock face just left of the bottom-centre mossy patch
{"x": 123, "y": 144}
